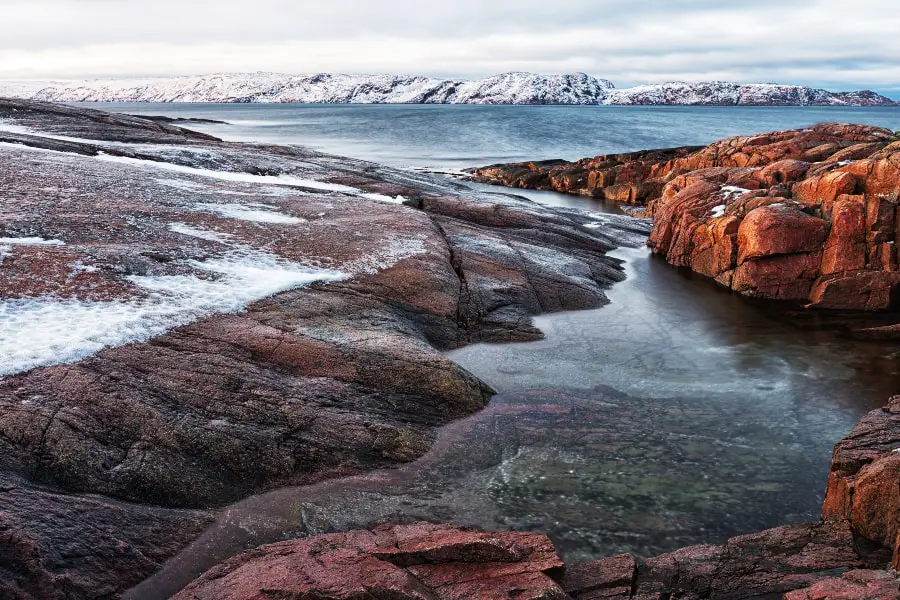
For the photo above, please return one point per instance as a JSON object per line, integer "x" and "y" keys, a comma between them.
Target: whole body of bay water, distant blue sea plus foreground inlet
{"x": 678, "y": 414}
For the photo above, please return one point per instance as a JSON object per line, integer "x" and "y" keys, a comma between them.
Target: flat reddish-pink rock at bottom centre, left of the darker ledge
{"x": 411, "y": 562}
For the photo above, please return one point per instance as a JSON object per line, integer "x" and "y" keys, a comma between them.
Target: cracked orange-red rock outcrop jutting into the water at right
{"x": 804, "y": 215}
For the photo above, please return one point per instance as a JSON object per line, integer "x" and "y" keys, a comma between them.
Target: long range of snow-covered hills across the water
{"x": 508, "y": 88}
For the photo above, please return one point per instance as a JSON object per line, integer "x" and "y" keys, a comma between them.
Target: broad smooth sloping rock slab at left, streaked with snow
{"x": 228, "y": 318}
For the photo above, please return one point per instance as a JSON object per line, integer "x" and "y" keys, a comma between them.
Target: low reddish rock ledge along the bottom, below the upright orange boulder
{"x": 441, "y": 562}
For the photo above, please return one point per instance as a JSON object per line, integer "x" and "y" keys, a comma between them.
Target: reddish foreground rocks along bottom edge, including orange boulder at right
{"x": 846, "y": 556}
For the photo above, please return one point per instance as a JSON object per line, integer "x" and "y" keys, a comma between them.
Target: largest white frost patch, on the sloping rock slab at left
{"x": 46, "y": 331}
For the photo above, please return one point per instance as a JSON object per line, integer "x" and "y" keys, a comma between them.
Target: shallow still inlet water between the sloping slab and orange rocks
{"x": 679, "y": 414}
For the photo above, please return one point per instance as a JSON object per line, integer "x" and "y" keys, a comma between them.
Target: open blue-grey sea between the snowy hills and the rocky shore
{"x": 459, "y": 136}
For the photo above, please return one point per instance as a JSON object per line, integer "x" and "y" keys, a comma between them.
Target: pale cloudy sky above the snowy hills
{"x": 835, "y": 44}
